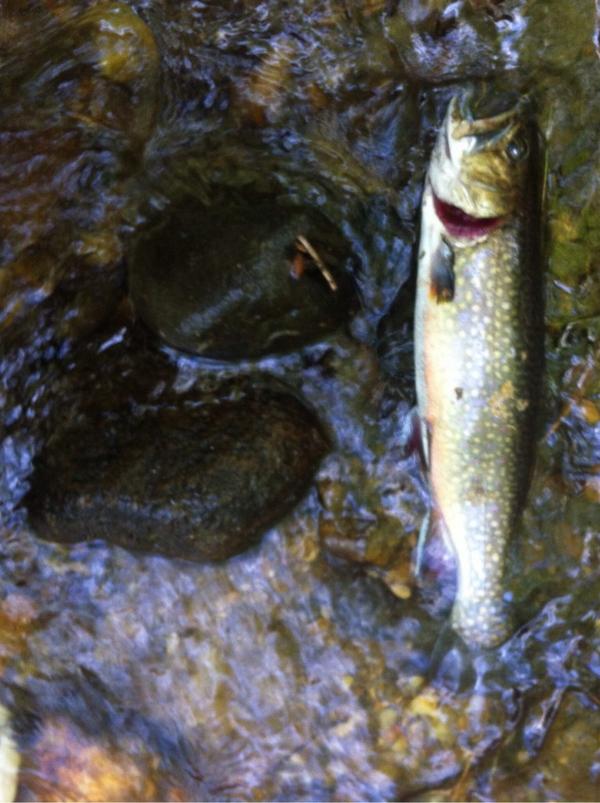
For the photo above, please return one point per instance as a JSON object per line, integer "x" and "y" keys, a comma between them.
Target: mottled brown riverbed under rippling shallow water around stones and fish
{"x": 310, "y": 667}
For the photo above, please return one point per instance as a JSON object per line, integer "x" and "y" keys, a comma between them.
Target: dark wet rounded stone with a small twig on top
{"x": 228, "y": 282}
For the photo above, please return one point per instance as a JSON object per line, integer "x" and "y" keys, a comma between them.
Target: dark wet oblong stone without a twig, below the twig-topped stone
{"x": 201, "y": 482}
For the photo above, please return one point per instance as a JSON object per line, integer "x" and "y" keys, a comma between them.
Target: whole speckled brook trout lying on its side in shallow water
{"x": 479, "y": 344}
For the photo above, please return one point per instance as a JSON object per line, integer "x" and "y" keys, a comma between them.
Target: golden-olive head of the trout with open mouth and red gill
{"x": 480, "y": 164}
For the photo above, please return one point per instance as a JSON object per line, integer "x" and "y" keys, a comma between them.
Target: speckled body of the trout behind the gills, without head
{"x": 476, "y": 359}
